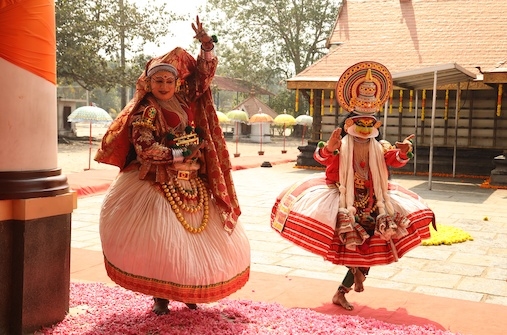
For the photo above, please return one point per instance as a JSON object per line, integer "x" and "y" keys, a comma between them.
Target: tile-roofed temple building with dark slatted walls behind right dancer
{"x": 459, "y": 45}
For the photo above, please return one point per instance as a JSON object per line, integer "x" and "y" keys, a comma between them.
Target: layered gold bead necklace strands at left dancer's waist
{"x": 178, "y": 197}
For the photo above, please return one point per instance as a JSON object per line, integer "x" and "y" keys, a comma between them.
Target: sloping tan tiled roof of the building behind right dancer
{"x": 412, "y": 34}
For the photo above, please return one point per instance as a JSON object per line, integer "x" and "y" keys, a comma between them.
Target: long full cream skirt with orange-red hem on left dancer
{"x": 146, "y": 249}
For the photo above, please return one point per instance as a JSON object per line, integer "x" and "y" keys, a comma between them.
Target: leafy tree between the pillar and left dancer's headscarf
{"x": 93, "y": 37}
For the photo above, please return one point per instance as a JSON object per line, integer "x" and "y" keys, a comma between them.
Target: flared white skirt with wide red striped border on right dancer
{"x": 306, "y": 214}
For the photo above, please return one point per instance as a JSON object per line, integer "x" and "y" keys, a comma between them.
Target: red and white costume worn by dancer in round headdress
{"x": 310, "y": 213}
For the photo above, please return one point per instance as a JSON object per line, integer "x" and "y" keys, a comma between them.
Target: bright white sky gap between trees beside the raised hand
{"x": 183, "y": 32}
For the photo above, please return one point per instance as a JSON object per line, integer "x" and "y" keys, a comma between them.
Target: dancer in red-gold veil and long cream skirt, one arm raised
{"x": 169, "y": 222}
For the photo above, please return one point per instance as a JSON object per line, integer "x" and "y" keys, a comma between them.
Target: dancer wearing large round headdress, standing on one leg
{"x": 352, "y": 214}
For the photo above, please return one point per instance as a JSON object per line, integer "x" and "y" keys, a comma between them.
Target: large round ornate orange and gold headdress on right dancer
{"x": 364, "y": 87}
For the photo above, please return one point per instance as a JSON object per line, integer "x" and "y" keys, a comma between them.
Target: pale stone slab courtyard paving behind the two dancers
{"x": 475, "y": 270}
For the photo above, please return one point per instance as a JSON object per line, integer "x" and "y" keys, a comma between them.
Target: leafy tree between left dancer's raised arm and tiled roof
{"x": 269, "y": 41}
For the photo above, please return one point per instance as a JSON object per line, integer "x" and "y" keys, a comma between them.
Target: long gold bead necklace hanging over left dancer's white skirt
{"x": 178, "y": 205}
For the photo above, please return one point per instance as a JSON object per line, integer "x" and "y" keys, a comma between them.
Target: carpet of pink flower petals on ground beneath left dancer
{"x": 101, "y": 309}
